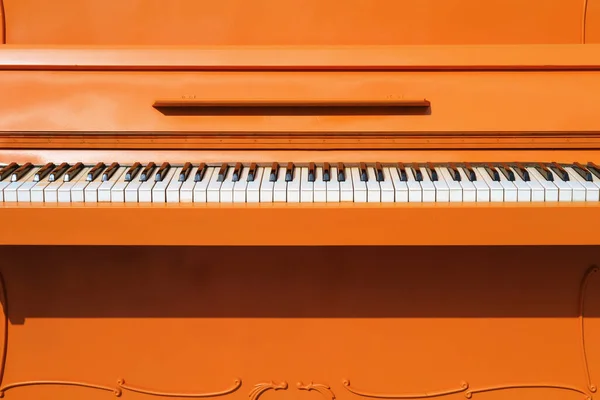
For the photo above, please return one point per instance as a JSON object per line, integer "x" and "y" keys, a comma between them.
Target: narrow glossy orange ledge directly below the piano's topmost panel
{"x": 270, "y": 58}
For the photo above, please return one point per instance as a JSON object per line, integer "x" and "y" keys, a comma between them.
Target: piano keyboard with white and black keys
{"x": 300, "y": 183}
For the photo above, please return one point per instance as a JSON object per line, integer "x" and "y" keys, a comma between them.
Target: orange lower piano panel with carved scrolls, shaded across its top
{"x": 392, "y": 321}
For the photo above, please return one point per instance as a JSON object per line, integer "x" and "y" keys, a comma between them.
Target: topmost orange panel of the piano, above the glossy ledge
{"x": 313, "y": 22}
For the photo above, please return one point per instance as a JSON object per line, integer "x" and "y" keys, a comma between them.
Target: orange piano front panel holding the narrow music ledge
{"x": 94, "y": 102}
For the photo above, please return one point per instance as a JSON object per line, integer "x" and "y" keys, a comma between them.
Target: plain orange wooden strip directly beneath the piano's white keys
{"x": 300, "y": 224}
